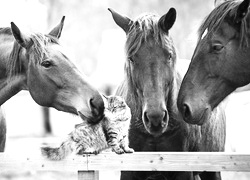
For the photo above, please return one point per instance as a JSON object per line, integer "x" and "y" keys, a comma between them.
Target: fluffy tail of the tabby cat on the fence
{"x": 58, "y": 153}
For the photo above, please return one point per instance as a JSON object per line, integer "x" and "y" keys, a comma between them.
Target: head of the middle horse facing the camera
{"x": 150, "y": 67}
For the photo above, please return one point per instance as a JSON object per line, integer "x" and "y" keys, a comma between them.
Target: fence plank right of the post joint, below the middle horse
{"x": 170, "y": 161}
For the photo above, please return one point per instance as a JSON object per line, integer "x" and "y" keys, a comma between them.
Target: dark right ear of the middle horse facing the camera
{"x": 167, "y": 21}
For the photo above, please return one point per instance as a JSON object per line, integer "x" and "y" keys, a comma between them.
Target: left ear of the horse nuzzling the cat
{"x": 23, "y": 40}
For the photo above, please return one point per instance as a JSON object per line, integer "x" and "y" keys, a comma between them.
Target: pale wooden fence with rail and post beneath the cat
{"x": 88, "y": 166}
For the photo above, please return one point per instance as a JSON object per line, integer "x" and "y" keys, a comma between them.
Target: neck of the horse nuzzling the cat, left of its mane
{"x": 8, "y": 86}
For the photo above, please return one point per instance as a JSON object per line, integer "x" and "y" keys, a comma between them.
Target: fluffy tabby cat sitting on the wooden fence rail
{"x": 112, "y": 132}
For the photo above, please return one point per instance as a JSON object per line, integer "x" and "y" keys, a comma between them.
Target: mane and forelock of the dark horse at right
{"x": 213, "y": 21}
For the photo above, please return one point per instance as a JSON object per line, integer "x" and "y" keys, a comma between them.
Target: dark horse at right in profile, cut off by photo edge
{"x": 220, "y": 62}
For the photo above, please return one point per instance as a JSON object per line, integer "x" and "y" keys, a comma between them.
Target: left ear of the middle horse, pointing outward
{"x": 122, "y": 21}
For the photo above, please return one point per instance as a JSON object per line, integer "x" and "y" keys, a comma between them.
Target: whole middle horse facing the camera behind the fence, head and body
{"x": 150, "y": 88}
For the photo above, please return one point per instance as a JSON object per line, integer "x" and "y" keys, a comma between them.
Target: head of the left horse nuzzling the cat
{"x": 52, "y": 79}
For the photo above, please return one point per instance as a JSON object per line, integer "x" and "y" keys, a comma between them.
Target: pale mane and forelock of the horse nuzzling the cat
{"x": 36, "y": 52}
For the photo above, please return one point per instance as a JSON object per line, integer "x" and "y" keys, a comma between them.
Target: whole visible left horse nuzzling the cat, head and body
{"x": 37, "y": 62}
